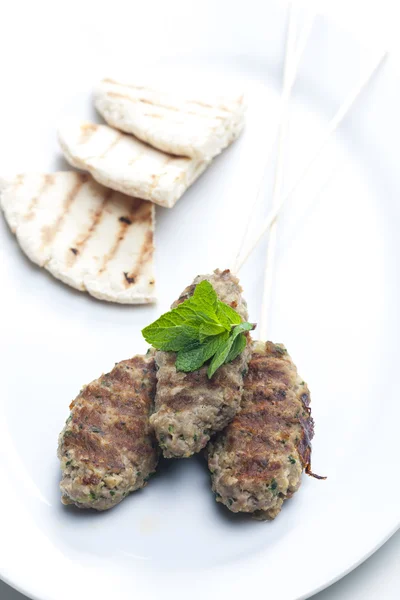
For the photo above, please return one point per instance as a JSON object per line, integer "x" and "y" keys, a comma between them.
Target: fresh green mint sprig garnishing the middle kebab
{"x": 200, "y": 329}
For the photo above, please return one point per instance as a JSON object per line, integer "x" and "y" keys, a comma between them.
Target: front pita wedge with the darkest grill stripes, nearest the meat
{"x": 90, "y": 237}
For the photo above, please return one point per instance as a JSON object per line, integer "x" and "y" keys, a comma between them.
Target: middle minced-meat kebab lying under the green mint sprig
{"x": 189, "y": 407}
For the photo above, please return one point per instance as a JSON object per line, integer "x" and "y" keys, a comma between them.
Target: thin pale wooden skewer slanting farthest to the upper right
{"x": 333, "y": 125}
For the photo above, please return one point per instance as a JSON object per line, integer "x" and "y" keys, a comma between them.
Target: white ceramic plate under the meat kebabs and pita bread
{"x": 335, "y": 307}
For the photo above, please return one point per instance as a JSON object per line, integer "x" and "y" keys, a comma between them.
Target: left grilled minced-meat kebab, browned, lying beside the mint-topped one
{"x": 107, "y": 448}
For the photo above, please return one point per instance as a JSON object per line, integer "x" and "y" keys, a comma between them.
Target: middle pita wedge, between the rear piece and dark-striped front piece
{"x": 126, "y": 164}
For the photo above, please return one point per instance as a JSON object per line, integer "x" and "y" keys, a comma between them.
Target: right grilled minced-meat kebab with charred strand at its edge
{"x": 257, "y": 461}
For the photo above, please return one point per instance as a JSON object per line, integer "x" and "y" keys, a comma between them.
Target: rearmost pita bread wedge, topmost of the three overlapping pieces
{"x": 193, "y": 124}
